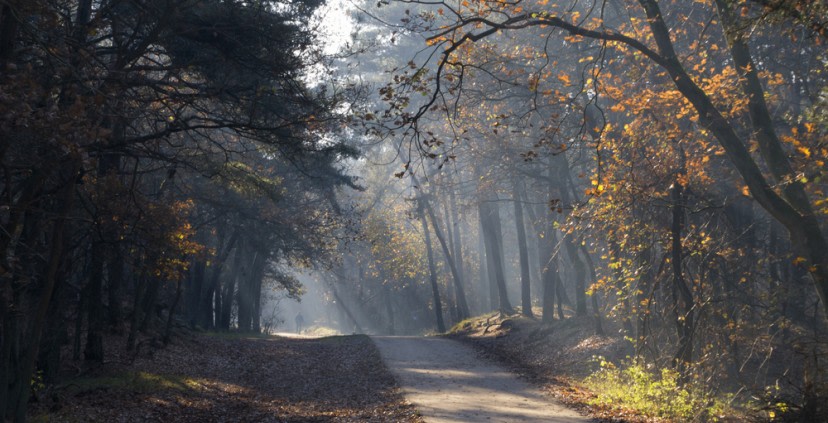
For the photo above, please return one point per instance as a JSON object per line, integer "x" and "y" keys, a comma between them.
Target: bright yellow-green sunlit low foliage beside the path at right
{"x": 636, "y": 387}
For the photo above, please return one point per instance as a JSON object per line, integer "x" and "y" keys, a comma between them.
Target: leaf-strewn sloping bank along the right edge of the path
{"x": 553, "y": 356}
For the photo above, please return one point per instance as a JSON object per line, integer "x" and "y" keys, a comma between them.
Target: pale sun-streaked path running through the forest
{"x": 447, "y": 382}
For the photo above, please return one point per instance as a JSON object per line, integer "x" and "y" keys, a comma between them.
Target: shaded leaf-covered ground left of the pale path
{"x": 227, "y": 378}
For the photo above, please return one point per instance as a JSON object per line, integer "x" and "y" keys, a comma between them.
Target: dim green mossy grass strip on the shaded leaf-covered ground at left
{"x": 137, "y": 382}
